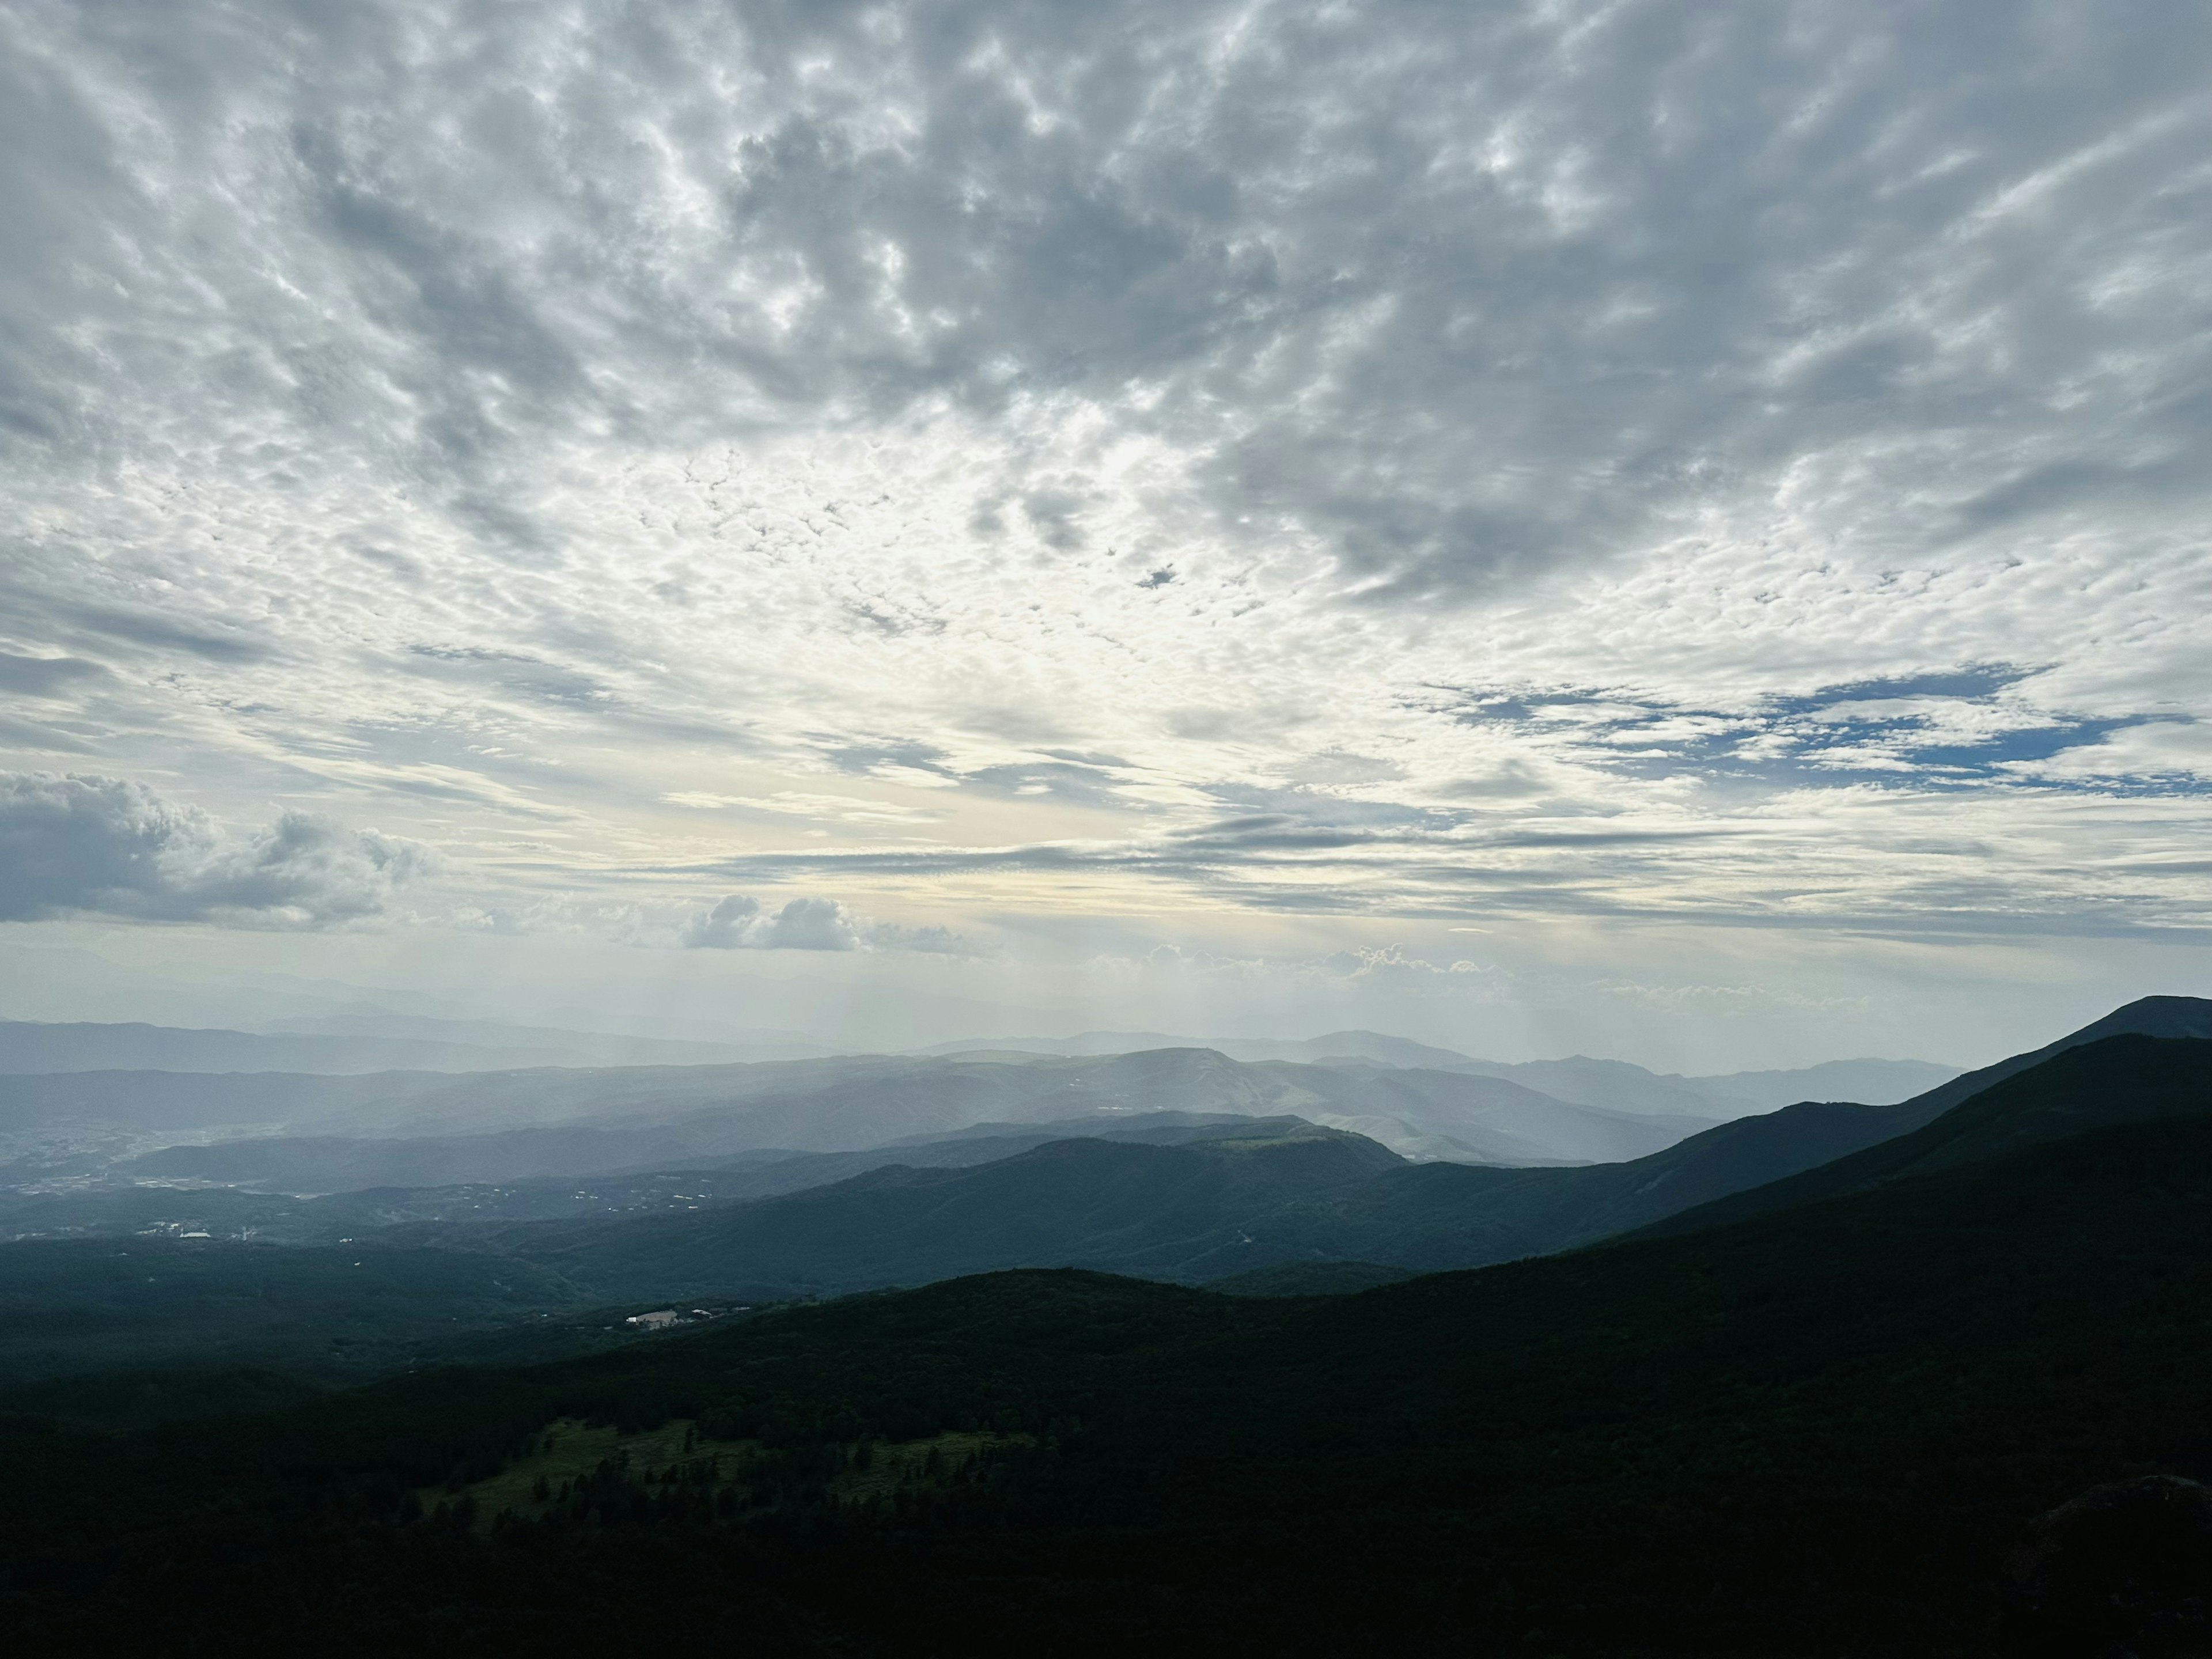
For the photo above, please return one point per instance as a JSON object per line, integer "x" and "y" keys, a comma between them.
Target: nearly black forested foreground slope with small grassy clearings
{"x": 1817, "y": 1432}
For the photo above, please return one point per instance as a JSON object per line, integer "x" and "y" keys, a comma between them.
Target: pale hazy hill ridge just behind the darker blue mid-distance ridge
{"x": 512, "y": 1125}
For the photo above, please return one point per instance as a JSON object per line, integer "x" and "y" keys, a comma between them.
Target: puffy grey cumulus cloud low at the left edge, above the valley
{"x": 96, "y": 844}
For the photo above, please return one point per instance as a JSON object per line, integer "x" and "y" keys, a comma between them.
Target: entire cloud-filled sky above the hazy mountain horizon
{"x": 1658, "y": 528}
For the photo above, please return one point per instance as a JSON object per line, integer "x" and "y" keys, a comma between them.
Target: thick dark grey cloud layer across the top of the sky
{"x": 1465, "y": 291}
